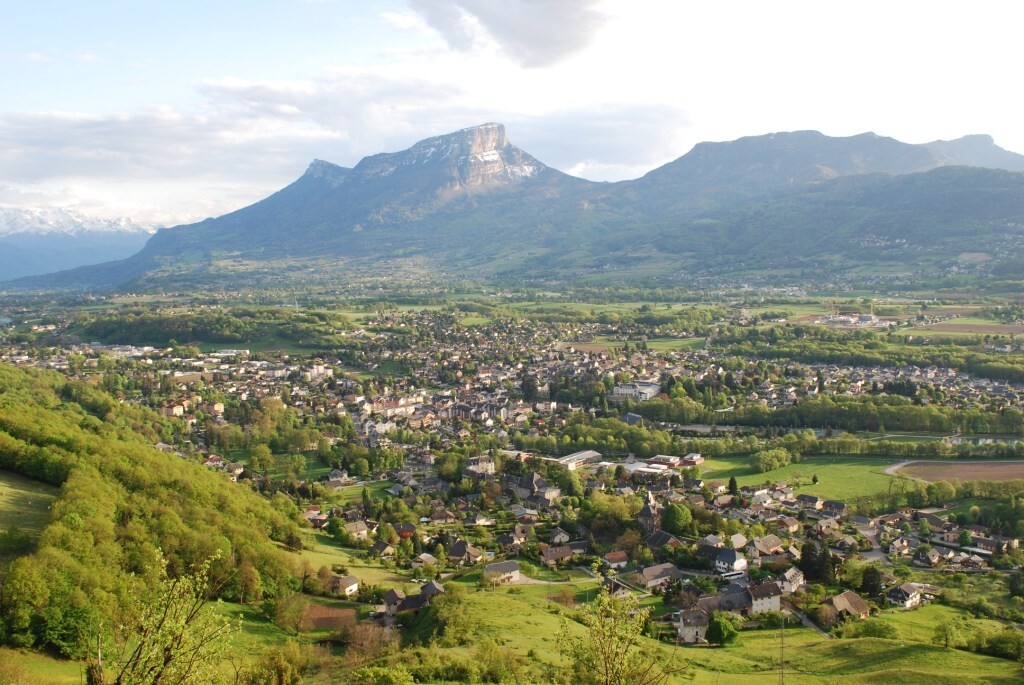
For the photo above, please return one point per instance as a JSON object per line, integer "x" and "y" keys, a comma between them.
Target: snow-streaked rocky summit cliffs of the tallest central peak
{"x": 474, "y": 158}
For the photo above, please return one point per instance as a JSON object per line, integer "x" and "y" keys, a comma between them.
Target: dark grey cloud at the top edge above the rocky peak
{"x": 533, "y": 33}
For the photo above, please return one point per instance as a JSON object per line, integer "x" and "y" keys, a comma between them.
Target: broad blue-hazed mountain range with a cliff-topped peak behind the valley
{"x": 473, "y": 205}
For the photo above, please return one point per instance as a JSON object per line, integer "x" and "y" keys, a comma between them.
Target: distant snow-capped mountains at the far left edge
{"x": 41, "y": 241}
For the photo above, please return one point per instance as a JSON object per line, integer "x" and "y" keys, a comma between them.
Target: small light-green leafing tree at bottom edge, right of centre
{"x": 610, "y": 653}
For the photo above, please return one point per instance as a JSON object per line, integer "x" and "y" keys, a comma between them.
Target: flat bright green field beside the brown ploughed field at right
{"x": 839, "y": 478}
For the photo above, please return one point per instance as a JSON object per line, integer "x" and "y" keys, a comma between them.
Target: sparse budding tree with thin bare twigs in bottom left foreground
{"x": 173, "y": 635}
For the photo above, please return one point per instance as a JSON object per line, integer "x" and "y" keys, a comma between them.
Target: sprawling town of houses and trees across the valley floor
{"x": 642, "y": 525}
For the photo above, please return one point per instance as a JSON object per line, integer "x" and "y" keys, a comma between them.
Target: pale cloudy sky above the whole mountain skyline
{"x": 169, "y": 112}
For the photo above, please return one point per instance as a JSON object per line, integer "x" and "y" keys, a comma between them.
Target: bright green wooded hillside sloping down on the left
{"x": 121, "y": 500}
